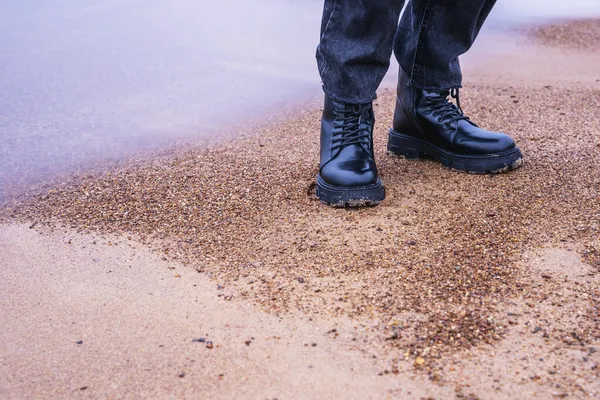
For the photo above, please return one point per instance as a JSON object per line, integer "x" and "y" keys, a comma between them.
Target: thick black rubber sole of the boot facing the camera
{"x": 336, "y": 196}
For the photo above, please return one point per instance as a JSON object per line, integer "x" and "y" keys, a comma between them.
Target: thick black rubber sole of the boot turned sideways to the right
{"x": 413, "y": 148}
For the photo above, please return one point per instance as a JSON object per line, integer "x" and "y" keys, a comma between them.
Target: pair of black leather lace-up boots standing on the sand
{"x": 426, "y": 124}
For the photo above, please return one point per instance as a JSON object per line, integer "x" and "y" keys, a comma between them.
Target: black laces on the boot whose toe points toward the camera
{"x": 349, "y": 127}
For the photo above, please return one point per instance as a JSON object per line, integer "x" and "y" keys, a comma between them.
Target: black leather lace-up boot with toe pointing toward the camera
{"x": 347, "y": 174}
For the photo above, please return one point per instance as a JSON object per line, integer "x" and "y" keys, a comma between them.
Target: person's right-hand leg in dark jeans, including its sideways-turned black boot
{"x": 431, "y": 36}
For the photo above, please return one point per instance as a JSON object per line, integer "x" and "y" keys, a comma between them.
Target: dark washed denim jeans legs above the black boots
{"x": 357, "y": 38}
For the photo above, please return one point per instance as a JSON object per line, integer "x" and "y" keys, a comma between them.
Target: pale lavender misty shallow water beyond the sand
{"x": 83, "y": 82}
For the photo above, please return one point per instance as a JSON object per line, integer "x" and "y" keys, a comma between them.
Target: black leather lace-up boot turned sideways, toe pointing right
{"x": 427, "y": 124}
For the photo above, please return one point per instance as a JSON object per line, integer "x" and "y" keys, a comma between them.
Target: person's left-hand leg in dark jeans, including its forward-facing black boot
{"x": 353, "y": 56}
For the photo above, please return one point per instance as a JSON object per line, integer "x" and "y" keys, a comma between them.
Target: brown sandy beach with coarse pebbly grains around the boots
{"x": 214, "y": 272}
